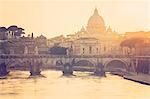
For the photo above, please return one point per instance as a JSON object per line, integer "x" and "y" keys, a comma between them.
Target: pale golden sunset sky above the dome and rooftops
{"x": 55, "y": 17}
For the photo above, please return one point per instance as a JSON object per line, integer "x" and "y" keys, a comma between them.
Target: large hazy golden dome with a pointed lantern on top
{"x": 96, "y": 23}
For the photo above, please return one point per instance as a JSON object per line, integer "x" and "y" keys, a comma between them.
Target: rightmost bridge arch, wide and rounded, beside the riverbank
{"x": 116, "y": 64}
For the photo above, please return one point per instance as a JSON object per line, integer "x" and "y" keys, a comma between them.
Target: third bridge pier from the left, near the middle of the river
{"x": 67, "y": 69}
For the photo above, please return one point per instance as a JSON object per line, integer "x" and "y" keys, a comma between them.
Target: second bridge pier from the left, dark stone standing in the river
{"x": 35, "y": 68}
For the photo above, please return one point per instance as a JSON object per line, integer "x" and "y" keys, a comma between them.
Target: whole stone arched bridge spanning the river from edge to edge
{"x": 107, "y": 62}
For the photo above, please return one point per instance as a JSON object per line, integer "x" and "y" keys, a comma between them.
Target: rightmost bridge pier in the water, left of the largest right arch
{"x": 99, "y": 71}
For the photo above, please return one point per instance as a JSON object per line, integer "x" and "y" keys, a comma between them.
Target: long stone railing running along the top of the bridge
{"x": 62, "y": 56}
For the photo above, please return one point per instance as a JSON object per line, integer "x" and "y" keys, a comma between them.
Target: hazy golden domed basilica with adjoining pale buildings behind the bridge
{"x": 105, "y": 40}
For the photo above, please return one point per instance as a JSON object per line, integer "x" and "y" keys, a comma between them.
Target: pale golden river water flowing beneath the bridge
{"x": 80, "y": 86}
